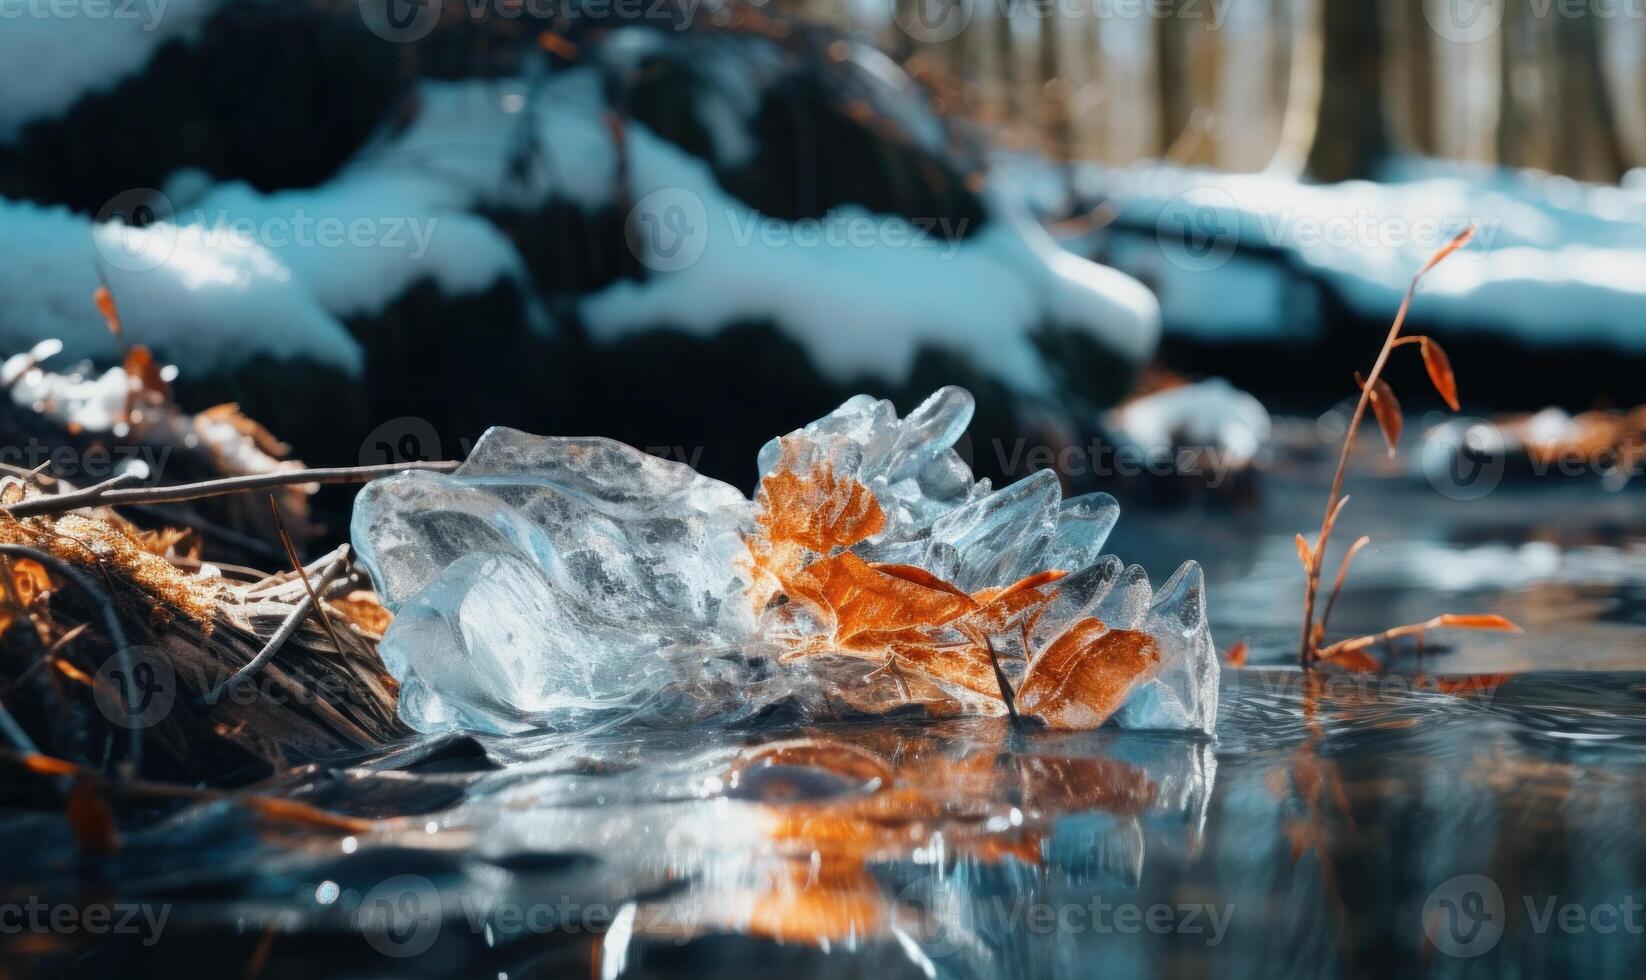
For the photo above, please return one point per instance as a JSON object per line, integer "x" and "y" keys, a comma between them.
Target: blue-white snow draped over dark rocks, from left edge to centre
{"x": 235, "y": 273}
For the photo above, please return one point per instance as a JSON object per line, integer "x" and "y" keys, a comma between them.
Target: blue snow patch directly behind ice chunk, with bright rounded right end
{"x": 862, "y": 292}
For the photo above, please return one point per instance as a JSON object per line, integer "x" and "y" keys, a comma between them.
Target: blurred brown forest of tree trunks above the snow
{"x": 1326, "y": 88}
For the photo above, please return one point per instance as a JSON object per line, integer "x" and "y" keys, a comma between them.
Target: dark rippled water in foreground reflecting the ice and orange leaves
{"x": 1308, "y": 839}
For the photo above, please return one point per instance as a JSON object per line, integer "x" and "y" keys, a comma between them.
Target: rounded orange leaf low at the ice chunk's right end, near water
{"x": 1087, "y": 674}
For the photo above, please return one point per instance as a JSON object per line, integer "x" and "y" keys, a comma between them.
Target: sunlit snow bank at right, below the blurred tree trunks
{"x": 1555, "y": 261}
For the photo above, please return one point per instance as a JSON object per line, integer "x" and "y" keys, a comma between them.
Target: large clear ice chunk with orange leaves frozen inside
{"x": 559, "y": 584}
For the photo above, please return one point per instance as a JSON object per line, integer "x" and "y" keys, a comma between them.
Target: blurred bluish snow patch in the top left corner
{"x": 52, "y": 55}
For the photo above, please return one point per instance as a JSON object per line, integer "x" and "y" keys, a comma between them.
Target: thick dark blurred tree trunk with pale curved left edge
{"x": 1352, "y": 134}
